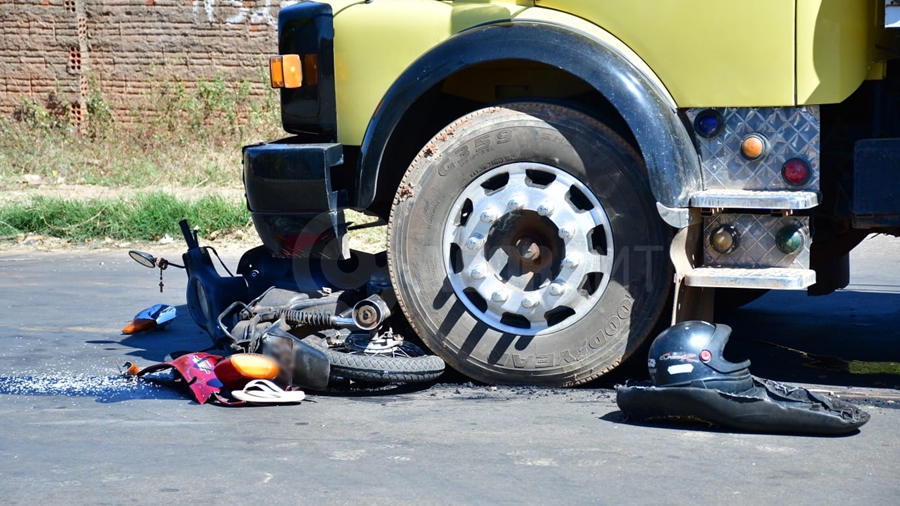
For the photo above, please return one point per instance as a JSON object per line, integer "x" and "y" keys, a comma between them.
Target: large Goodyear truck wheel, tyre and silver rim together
{"x": 525, "y": 248}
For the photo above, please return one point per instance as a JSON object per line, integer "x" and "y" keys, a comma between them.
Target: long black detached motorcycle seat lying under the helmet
{"x": 768, "y": 407}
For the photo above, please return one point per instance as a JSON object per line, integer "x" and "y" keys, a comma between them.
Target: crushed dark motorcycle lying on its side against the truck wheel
{"x": 326, "y": 324}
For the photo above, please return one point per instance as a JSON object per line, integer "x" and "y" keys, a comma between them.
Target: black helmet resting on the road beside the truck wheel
{"x": 690, "y": 354}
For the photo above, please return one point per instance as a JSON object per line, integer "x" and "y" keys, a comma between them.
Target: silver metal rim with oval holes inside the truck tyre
{"x": 528, "y": 247}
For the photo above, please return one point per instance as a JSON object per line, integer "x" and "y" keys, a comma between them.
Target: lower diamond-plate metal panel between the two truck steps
{"x": 756, "y": 245}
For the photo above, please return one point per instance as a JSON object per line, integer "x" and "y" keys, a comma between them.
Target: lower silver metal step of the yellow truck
{"x": 773, "y": 278}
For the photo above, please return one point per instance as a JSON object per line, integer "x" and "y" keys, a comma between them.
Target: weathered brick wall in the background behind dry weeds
{"x": 51, "y": 47}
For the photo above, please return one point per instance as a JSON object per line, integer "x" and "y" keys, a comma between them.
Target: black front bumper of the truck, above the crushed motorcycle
{"x": 289, "y": 193}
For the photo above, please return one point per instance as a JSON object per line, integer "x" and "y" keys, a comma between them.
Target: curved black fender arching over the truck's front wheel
{"x": 672, "y": 162}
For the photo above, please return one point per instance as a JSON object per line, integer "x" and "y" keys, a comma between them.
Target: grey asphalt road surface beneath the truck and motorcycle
{"x": 76, "y": 433}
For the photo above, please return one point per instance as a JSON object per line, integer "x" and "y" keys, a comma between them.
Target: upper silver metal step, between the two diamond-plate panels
{"x": 750, "y": 199}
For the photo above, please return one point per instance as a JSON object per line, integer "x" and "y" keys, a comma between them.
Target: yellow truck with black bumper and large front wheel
{"x": 563, "y": 178}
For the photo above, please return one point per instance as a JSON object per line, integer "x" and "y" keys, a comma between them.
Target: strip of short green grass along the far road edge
{"x": 146, "y": 217}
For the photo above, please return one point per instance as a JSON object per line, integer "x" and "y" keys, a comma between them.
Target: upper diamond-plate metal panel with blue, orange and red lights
{"x": 792, "y": 132}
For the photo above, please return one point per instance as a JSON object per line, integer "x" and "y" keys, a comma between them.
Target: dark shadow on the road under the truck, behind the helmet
{"x": 846, "y": 339}
